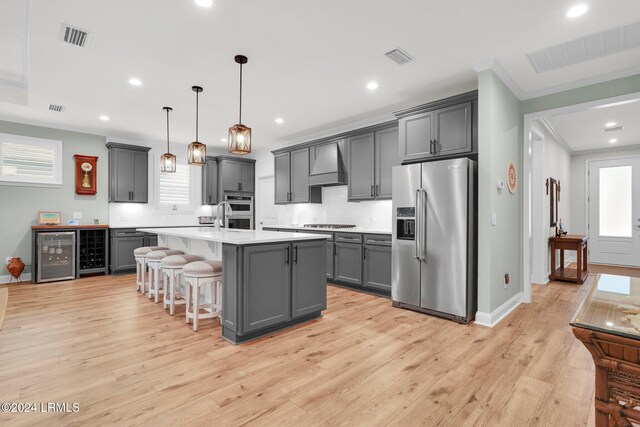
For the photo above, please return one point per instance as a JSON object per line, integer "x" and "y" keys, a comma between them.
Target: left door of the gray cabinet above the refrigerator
{"x": 415, "y": 134}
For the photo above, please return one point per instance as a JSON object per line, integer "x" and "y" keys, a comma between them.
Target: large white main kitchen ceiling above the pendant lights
{"x": 309, "y": 61}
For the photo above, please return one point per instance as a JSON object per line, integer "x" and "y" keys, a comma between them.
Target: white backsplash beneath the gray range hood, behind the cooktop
{"x": 336, "y": 210}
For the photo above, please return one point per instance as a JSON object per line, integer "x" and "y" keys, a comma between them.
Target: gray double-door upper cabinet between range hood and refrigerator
{"x": 371, "y": 157}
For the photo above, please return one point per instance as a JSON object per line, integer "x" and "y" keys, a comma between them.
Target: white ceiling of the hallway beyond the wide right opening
{"x": 583, "y": 130}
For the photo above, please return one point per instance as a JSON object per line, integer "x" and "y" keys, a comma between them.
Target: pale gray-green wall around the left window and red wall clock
{"x": 20, "y": 204}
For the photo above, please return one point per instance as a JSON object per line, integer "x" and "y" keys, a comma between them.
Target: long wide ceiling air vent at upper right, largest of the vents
{"x": 593, "y": 46}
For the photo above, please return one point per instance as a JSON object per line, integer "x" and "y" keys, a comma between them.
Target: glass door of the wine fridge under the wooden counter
{"x": 56, "y": 256}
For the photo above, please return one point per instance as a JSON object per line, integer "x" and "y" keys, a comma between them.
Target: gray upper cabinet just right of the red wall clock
{"x": 128, "y": 173}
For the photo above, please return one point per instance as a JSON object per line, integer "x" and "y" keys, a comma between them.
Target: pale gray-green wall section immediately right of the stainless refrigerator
{"x": 499, "y": 140}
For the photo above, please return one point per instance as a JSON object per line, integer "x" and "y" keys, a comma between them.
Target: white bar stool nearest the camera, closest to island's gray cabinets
{"x": 196, "y": 274}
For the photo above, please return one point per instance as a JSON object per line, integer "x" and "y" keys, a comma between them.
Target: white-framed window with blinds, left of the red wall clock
{"x": 30, "y": 161}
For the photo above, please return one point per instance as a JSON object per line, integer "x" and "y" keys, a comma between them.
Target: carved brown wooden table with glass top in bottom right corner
{"x": 614, "y": 343}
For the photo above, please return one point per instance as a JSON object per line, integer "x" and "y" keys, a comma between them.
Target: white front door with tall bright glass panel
{"x": 614, "y": 212}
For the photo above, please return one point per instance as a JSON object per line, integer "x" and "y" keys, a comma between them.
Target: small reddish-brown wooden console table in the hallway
{"x": 570, "y": 243}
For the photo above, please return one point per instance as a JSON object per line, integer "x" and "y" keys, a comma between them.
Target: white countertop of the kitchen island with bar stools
{"x": 234, "y": 237}
